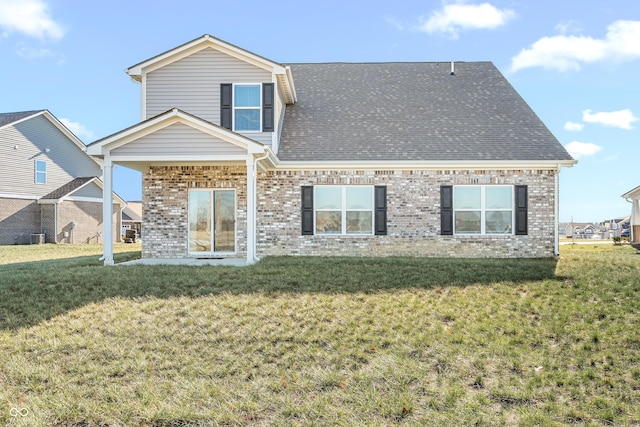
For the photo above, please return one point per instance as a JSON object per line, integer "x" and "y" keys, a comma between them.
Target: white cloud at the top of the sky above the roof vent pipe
{"x": 453, "y": 18}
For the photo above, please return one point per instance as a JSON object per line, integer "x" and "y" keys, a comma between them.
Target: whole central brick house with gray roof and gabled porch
{"x": 245, "y": 157}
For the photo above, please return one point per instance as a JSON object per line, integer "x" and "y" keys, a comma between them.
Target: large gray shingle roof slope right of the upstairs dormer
{"x": 411, "y": 111}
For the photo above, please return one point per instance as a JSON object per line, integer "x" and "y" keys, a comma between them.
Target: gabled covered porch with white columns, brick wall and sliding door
{"x": 199, "y": 187}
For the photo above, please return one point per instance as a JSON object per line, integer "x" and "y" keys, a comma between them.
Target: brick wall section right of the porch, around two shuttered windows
{"x": 413, "y": 215}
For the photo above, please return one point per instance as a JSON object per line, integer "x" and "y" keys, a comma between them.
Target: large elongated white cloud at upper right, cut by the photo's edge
{"x": 565, "y": 53}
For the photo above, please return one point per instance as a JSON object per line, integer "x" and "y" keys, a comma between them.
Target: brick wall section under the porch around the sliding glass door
{"x": 165, "y": 193}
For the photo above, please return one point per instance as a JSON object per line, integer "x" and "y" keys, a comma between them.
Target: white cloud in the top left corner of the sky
{"x": 29, "y": 17}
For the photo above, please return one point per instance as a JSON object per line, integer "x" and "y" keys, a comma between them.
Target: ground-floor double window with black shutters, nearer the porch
{"x": 343, "y": 210}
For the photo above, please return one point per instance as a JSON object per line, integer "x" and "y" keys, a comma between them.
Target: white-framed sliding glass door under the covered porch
{"x": 212, "y": 221}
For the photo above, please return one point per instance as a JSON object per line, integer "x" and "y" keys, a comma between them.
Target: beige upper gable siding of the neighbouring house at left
{"x": 32, "y": 138}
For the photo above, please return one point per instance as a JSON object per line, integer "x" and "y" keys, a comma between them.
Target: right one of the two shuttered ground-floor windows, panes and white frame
{"x": 483, "y": 209}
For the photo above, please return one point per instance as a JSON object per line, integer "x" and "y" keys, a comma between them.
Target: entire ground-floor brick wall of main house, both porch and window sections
{"x": 413, "y": 212}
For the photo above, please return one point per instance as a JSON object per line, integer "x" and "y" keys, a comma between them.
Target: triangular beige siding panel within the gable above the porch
{"x": 178, "y": 139}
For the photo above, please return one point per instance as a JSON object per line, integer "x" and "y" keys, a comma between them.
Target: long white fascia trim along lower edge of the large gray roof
{"x": 423, "y": 165}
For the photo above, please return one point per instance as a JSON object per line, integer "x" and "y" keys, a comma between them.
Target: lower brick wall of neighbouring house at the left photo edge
{"x": 18, "y": 219}
